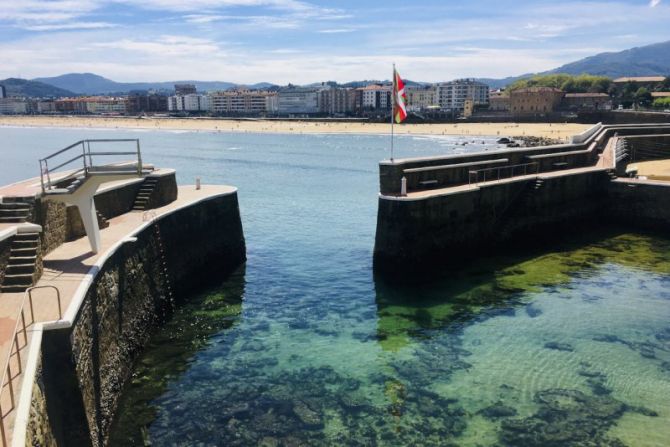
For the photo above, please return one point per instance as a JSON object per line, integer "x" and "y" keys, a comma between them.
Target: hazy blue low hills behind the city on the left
{"x": 92, "y": 84}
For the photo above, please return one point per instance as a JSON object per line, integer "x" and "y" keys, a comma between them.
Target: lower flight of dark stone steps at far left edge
{"x": 21, "y": 268}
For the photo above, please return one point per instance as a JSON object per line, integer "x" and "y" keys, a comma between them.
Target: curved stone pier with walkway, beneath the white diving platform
{"x": 95, "y": 309}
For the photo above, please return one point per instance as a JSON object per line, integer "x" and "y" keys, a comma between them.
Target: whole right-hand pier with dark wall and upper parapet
{"x": 458, "y": 208}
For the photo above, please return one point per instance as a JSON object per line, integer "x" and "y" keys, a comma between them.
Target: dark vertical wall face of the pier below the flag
{"x": 450, "y": 229}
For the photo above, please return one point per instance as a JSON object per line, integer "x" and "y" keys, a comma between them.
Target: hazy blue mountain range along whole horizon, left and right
{"x": 640, "y": 61}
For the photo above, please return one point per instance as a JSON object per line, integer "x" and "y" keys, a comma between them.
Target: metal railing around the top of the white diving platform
{"x": 86, "y": 156}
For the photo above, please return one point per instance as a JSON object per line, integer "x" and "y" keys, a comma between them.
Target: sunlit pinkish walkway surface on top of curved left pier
{"x": 66, "y": 268}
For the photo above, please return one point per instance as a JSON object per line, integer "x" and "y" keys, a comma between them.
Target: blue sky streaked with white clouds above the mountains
{"x": 282, "y": 41}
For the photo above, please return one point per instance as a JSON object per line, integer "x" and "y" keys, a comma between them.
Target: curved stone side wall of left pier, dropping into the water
{"x": 83, "y": 368}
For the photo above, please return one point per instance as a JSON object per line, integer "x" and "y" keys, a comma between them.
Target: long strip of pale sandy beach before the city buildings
{"x": 546, "y": 130}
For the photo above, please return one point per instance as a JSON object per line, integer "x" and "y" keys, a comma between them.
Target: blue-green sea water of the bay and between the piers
{"x": 304, "y": 346}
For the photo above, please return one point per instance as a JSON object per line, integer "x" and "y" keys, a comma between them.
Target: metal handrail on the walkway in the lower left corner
{"x": 15, "y": 350}
